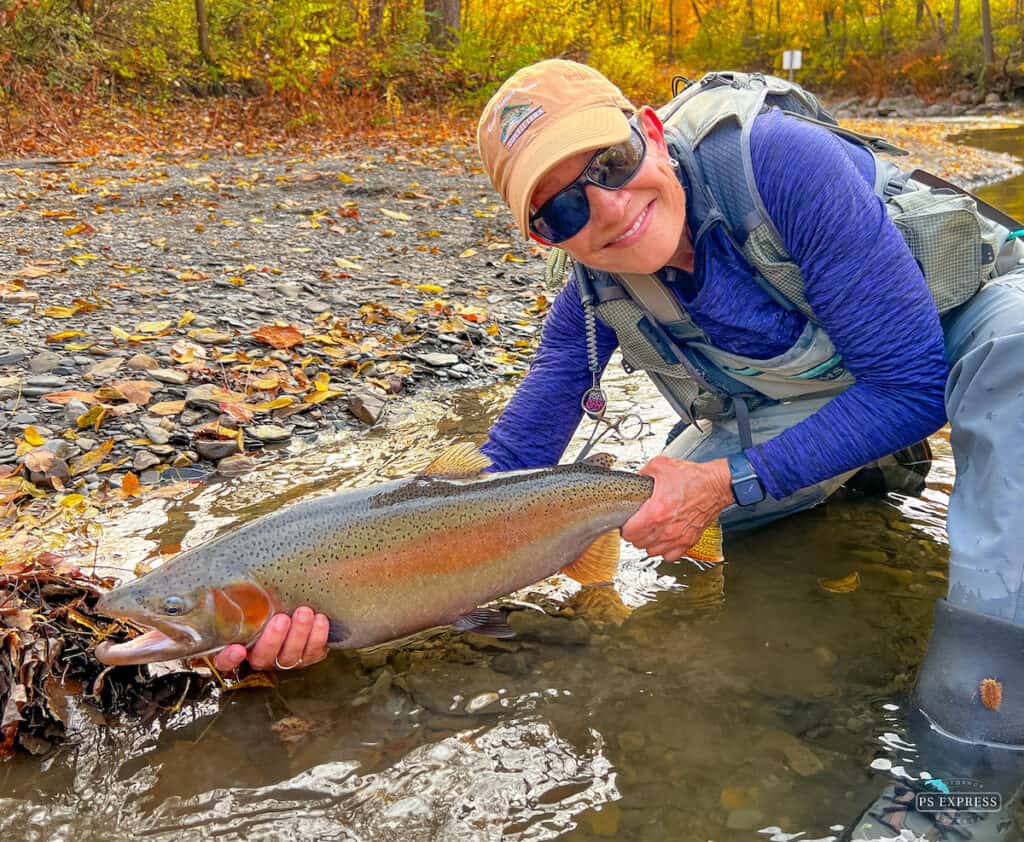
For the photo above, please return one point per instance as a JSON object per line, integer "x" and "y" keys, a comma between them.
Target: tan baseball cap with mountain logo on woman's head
{"x": 542, "y": 115}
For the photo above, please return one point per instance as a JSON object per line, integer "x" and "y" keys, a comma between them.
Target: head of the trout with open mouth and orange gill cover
{"x": 186, "y": 620}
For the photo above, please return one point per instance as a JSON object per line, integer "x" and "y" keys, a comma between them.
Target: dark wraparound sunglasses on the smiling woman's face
{"x": 566, "y": 214}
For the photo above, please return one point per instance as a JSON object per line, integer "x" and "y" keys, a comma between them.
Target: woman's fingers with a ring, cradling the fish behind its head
{"x": 287, "y": 643}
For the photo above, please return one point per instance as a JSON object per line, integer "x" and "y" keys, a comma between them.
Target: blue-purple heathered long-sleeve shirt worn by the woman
{"x": 864, "y": 286}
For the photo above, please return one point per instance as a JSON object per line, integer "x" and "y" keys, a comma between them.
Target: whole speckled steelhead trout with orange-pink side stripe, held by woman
{"x": 391, "y": 560}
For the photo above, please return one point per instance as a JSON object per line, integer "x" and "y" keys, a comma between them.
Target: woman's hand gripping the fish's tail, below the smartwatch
{"x": 689, "y": 497}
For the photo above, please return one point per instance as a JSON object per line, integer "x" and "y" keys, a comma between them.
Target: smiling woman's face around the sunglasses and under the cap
{"x": 637, "y": 229}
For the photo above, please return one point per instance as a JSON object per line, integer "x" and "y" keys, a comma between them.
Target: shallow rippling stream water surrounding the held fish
{"x": 705, "y": 705}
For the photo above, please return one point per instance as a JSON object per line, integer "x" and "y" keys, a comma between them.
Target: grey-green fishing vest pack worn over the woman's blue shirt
{"x": 955, "y": 237}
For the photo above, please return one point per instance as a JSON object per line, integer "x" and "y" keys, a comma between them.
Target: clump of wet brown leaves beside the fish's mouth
{"x": 49, "y": 633}
